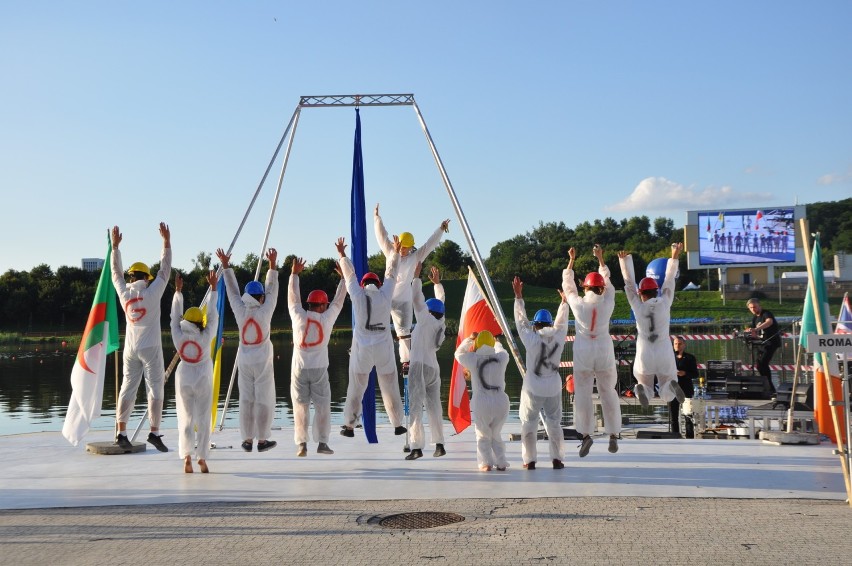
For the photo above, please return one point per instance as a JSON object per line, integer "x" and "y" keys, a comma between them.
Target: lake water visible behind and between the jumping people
{"x": 35, "y": 388}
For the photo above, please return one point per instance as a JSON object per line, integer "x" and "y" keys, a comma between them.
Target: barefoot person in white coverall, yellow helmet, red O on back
{"x": 193, "y": 338}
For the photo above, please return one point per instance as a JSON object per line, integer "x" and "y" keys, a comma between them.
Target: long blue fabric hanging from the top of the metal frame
{"x": 359, "y": 261}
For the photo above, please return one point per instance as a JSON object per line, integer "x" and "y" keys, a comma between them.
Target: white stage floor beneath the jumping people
{"x": 42, "y": 470}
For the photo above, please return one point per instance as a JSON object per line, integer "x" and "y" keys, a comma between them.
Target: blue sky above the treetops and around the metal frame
{"x": 132, "y": 113}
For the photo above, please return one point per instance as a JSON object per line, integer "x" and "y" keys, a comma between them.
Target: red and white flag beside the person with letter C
{"x": 475, "y": 316}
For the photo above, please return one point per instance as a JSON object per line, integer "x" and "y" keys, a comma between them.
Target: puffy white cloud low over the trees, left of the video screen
{"x": 659, "y": 193}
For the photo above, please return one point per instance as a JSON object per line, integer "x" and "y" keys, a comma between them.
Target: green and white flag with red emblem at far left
{"x": 100, "y": 338}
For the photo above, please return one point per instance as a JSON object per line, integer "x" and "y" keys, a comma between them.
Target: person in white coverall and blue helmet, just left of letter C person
{"x": 424, "y": 377}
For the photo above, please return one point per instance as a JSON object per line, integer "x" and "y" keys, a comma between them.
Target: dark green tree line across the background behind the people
{"x": 48, "y": 301}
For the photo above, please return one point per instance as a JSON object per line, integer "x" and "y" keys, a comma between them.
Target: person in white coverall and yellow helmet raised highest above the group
{"x": 402, "y": 310}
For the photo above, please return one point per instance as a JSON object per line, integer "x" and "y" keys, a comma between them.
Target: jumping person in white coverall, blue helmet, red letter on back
{"x": 256, "y": 381}
